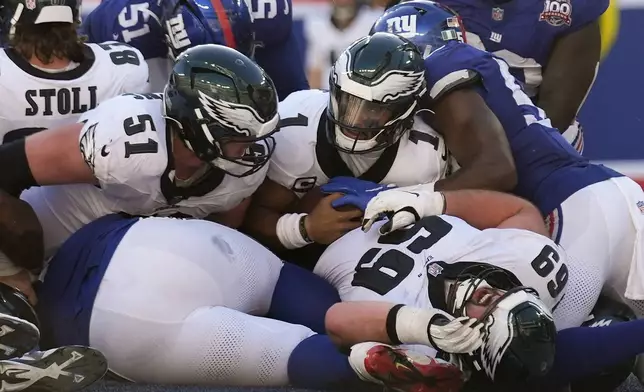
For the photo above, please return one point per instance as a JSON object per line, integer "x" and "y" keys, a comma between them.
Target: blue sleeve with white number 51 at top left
{"x": 134, "y": 22}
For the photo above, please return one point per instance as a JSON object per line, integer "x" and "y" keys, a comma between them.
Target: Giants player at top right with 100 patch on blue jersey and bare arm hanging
{"x": 556, "y": 61}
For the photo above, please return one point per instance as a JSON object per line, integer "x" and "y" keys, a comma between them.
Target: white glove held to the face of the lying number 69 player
{"x": 460, "y": 336}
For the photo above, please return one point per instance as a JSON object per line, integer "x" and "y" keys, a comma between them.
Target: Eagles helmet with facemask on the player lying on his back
{"x": 519, "y": 331}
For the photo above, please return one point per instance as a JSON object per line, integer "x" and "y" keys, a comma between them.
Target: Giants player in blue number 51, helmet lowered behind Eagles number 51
{"x": 164, "y": 29}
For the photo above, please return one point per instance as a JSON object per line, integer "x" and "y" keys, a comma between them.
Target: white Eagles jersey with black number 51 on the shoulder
{"x": 126, "y": 144}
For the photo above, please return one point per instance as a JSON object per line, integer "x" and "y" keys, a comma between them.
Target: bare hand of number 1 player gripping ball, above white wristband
{"x": 325, "y": 224}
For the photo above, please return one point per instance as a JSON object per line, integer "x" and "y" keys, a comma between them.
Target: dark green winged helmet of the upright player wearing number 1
{"x": 375, "y": 88}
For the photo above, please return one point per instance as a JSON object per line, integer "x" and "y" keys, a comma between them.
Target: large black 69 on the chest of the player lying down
{"x": 385, "y": 273}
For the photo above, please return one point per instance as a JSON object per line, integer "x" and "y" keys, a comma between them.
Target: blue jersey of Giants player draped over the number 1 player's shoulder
{"x": 548, "y": 167}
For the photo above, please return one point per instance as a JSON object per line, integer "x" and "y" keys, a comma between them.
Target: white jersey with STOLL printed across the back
{"x": 41, "y": 100}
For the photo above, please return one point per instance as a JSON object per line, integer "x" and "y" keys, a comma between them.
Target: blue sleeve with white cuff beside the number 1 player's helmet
{"x": 450, "y": 67}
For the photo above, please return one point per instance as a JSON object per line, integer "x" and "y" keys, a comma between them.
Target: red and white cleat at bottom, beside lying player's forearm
{"x": 404, "y": 370}
